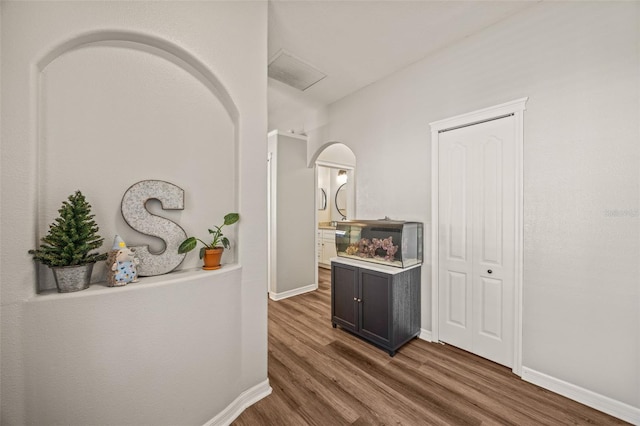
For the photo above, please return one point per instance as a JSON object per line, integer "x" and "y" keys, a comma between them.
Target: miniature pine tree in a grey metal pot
{"x": 67, "y": 248}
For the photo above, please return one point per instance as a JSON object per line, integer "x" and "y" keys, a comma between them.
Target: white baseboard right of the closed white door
{"x": 602, "y": 403}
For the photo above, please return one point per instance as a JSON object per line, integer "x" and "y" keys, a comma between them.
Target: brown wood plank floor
{"x": 325, "y": 376}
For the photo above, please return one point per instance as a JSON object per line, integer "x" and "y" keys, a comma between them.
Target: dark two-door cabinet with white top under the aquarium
{"x": 381, "y": 307}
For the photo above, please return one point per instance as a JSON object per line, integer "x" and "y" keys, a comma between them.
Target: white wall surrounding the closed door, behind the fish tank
{"x": 579, "y": 65}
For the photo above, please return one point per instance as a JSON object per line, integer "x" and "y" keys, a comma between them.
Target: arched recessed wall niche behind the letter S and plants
{"x": 115, "y": 108}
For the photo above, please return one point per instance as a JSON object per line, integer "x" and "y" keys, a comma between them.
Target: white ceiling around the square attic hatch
{"x": 356, "y": 43}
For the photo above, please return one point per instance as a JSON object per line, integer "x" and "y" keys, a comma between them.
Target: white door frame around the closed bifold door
{"x": 515, "y": 108}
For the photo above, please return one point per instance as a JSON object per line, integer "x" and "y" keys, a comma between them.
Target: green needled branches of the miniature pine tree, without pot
{"x": 72, "y": 236}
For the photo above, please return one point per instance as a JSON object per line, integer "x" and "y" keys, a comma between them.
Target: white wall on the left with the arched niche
{"x": 97, "y": 96}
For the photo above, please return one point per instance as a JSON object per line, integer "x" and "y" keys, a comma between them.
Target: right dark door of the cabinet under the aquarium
{"x": 375, "y": 296}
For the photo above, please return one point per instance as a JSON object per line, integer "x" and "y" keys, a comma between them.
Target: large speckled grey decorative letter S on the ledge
{"x": 138, "y": 217}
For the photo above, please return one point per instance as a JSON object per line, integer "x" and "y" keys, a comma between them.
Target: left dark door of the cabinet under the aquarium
{"x": 344, "y": 291}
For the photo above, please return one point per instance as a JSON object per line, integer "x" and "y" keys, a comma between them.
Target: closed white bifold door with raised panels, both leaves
{"x": 477, "y": 206}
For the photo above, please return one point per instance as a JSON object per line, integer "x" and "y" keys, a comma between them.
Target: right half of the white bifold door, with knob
{"x": 494, "y": 260}
